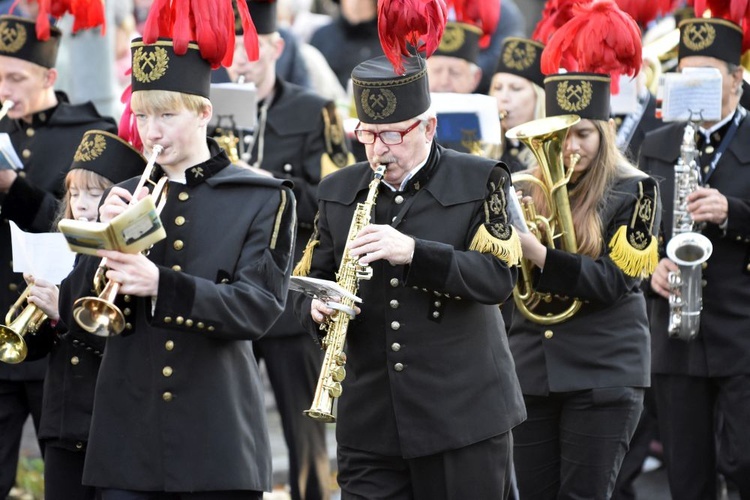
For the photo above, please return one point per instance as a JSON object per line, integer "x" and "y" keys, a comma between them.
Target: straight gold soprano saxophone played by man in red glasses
{"x": 350, "y": 273}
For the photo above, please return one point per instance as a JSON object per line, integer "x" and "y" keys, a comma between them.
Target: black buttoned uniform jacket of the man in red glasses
{"x": 429, "y": 368}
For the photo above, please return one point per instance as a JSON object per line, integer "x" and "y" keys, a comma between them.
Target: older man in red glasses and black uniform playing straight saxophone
{"x": 430, "y": 395}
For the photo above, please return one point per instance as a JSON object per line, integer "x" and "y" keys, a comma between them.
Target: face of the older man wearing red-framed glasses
{"x": 401, "y": 158}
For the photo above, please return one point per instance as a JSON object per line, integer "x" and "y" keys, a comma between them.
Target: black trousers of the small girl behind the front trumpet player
{"x": 63, "y": 474}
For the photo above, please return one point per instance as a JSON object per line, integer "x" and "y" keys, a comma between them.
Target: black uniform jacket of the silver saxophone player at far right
{"x": 722, "y": 347}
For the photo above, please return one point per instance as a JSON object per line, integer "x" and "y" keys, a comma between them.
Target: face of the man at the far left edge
{"x": 26, "y": 84}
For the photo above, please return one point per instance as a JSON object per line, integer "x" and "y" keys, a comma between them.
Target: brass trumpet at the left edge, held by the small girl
{"x": 13, "y": 348}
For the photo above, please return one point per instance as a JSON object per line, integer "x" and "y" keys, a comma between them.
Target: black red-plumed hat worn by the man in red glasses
{"x": 394, "y": 87}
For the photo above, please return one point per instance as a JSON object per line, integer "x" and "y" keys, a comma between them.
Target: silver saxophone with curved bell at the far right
{"x": 687, "y": 248}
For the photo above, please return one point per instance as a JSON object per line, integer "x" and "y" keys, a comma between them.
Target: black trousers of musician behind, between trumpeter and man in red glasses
{"x": 293, "y": 365}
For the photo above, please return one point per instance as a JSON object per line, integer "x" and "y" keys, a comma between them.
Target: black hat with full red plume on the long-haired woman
{"x": 598, "y": 44}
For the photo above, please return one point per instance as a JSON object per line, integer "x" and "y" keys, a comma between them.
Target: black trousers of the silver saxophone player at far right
{"x": 704, "y": 427}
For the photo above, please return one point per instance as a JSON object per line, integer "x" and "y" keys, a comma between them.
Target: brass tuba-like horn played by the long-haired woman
{"x": 545, "y": 138}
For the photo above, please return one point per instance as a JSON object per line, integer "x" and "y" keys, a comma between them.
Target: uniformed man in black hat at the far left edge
{"x": 44, "y": 130}
